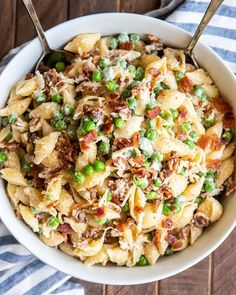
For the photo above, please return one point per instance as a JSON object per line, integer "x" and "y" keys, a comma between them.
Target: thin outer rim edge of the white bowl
{"x": 10, "y": 223}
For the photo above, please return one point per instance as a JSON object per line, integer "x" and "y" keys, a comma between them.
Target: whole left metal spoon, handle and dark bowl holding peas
{"x": 49, "y": 57}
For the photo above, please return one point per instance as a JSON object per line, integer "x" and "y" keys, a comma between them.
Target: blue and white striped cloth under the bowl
{"x": 21, "y": 272}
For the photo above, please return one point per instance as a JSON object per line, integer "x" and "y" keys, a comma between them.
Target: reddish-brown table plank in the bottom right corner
{"x": 224, "y": 269}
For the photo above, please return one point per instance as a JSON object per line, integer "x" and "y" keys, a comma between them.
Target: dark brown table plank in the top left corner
{"x": 7, "y": 25}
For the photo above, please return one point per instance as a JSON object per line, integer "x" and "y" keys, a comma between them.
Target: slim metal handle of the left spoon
{"x": 32, "y": 13}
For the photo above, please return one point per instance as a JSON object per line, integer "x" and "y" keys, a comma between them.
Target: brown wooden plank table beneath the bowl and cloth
{"x": 214, "y": 275}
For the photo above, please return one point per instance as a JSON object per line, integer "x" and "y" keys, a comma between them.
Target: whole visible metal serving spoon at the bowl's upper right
{"x": 211, "y": 9}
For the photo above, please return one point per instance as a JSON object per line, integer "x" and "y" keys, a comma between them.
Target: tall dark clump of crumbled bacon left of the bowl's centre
{"x": 66, "y": 152}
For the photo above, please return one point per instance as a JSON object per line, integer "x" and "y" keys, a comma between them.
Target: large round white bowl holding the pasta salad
{"x": 106, "y": 24}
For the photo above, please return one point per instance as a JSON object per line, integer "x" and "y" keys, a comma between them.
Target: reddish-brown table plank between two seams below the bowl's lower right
{"x": 194, "y": 281}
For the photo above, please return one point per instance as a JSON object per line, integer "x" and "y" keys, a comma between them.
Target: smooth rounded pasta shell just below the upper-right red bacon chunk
{"x": 170, "y": 98}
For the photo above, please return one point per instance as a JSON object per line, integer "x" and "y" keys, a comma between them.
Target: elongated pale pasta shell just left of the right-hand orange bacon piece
{"x": 166, "y": 146}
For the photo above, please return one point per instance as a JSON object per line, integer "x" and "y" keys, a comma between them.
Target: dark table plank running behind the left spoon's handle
{"x": 50, "y": 13}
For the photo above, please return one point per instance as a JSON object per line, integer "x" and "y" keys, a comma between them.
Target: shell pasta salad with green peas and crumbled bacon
{"x": 121, "y": 156}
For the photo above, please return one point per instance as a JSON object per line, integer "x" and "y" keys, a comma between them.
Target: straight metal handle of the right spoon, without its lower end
{"x": 211, "y": 9}
